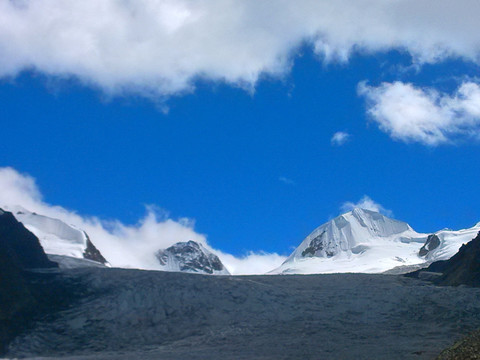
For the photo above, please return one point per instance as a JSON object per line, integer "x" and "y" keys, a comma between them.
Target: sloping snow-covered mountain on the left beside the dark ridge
{"x": 59, "y": 238}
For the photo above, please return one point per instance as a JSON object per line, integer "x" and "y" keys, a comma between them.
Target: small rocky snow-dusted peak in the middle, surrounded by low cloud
{"x": 191, "y": 257}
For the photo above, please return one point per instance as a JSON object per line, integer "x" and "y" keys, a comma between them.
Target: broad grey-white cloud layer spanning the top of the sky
{"x": 160, "y": 47}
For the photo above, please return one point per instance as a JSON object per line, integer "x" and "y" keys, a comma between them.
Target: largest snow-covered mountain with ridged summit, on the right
{"x": 369, "y": 242}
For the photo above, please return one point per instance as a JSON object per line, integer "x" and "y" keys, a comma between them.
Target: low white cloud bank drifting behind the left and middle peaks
{"x": 131, "y": 246}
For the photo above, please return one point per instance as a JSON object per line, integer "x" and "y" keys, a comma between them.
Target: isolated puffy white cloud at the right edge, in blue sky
{"x": 424, "y": 115}
